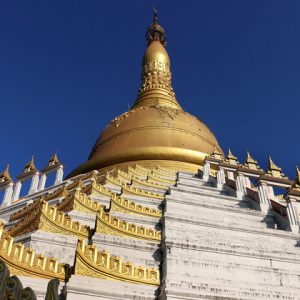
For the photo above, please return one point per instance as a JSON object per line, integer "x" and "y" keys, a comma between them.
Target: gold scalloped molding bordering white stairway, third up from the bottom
{"x": 123, "y": 205}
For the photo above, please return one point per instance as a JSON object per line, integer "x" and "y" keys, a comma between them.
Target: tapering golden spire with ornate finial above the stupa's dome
{"x": 156, "y": 88}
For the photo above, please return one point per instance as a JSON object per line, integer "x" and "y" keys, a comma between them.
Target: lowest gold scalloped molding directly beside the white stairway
{"x": 89, "y": 261}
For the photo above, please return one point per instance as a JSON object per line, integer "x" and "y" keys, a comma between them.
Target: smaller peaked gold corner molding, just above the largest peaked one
{"x": 81, "y": 202}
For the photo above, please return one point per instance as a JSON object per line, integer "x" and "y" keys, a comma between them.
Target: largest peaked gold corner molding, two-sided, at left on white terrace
{"x": 48, "y": 218}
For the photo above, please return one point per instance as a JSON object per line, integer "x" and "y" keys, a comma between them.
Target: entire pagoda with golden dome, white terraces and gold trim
{"x": 156, "y": 212}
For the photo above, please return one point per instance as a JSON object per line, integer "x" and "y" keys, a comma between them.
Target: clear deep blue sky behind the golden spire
{"x": 68, "y": 67}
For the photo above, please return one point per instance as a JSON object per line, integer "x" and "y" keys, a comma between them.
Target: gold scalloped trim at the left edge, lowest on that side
{"x": 24, "y": 261}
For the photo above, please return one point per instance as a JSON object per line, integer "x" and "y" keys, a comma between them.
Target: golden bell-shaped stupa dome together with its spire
{"x": 156, "y": 130}
